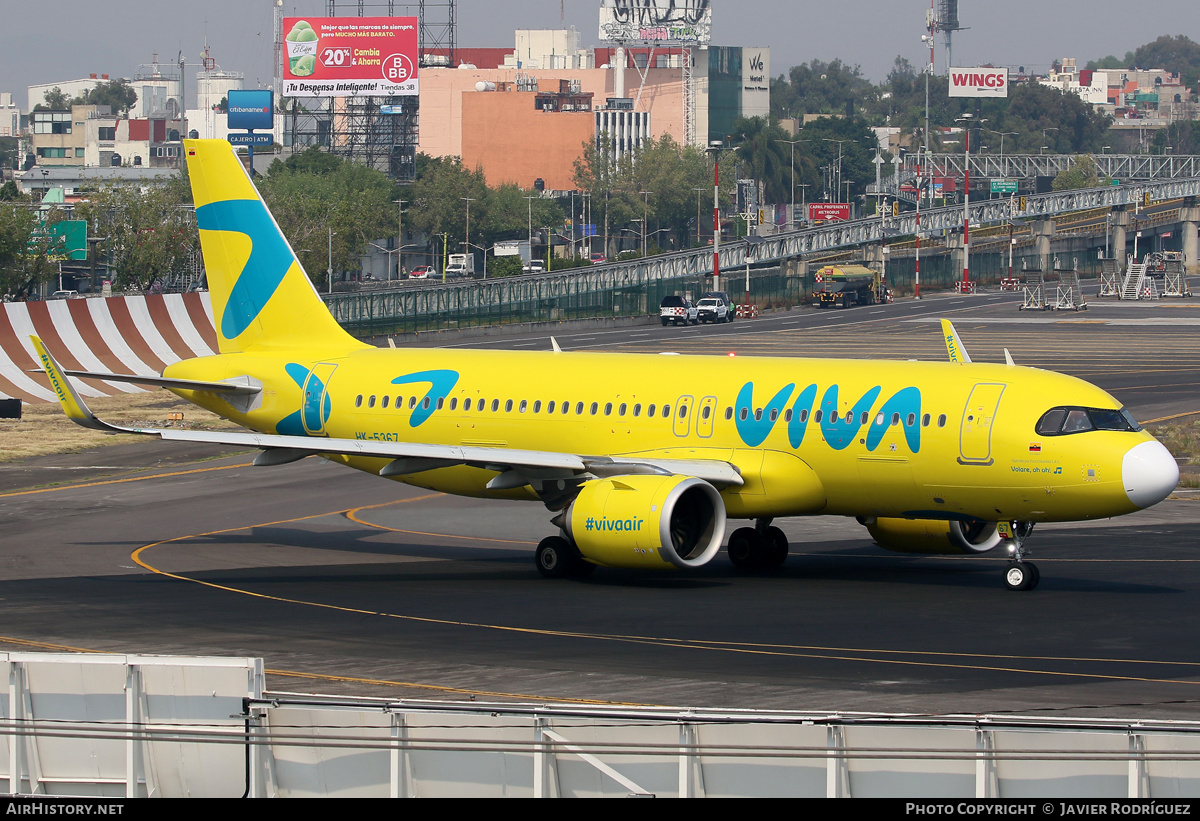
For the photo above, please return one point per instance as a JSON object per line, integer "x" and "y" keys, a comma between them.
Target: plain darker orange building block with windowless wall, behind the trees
{"x": 523, "y": 136}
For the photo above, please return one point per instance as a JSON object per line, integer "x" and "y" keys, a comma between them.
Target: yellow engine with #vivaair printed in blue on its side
{"x": 647, "y": 522}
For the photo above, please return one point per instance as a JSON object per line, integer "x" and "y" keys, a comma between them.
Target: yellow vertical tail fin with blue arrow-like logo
{"x": 262, "y": 297}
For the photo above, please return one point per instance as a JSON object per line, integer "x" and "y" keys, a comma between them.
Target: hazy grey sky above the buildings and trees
{"x": 44, "y": 41}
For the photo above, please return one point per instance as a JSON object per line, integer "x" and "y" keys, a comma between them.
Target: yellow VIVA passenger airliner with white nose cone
{"x": 640, "y": 459}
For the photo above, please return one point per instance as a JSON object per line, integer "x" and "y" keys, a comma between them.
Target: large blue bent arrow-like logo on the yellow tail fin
{"x": 263, "y": 273}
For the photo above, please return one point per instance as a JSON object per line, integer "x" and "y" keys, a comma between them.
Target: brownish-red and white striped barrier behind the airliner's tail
{"x": 121, "y": 334}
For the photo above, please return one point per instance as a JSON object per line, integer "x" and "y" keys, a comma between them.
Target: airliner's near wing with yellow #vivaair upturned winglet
{"x": 518, "y": 468}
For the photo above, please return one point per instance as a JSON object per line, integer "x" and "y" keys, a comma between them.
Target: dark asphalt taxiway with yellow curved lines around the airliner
{"x": 347, "y": 584}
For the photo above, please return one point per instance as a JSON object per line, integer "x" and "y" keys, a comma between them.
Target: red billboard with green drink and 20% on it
{"x": 346, "y": 57}
